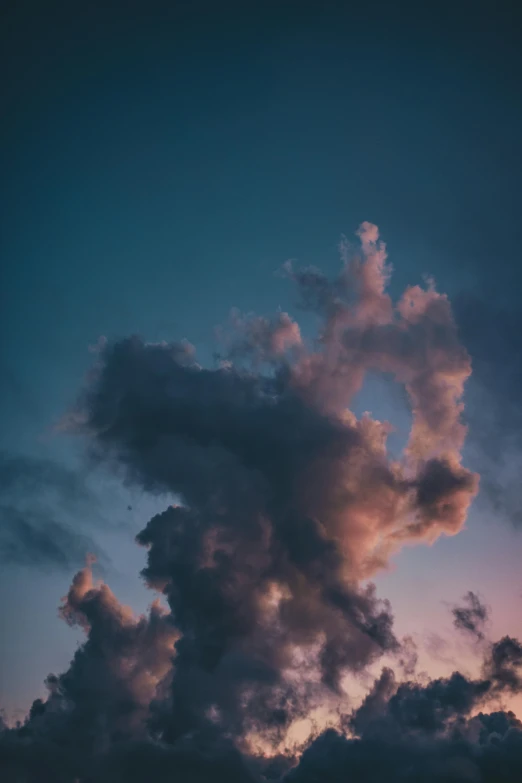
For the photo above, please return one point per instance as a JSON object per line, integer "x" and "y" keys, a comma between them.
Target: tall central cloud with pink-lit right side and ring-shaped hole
{"x": 288, "y": 501}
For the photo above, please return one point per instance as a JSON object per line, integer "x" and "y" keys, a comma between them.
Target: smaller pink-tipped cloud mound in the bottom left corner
{"x": 104, "y": 697}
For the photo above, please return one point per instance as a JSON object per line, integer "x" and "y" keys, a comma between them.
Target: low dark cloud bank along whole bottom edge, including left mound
{"x": 402, "y": 732}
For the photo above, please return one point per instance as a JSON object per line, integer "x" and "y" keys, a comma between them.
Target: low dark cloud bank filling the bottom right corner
{"x": 405, "y": 732}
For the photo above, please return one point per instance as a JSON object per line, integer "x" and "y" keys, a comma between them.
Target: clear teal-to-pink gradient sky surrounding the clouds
{"x": 159, "y": 166}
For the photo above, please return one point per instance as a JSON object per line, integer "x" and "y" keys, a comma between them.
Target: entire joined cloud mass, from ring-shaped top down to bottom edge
{"x": 287, "y": 505}
